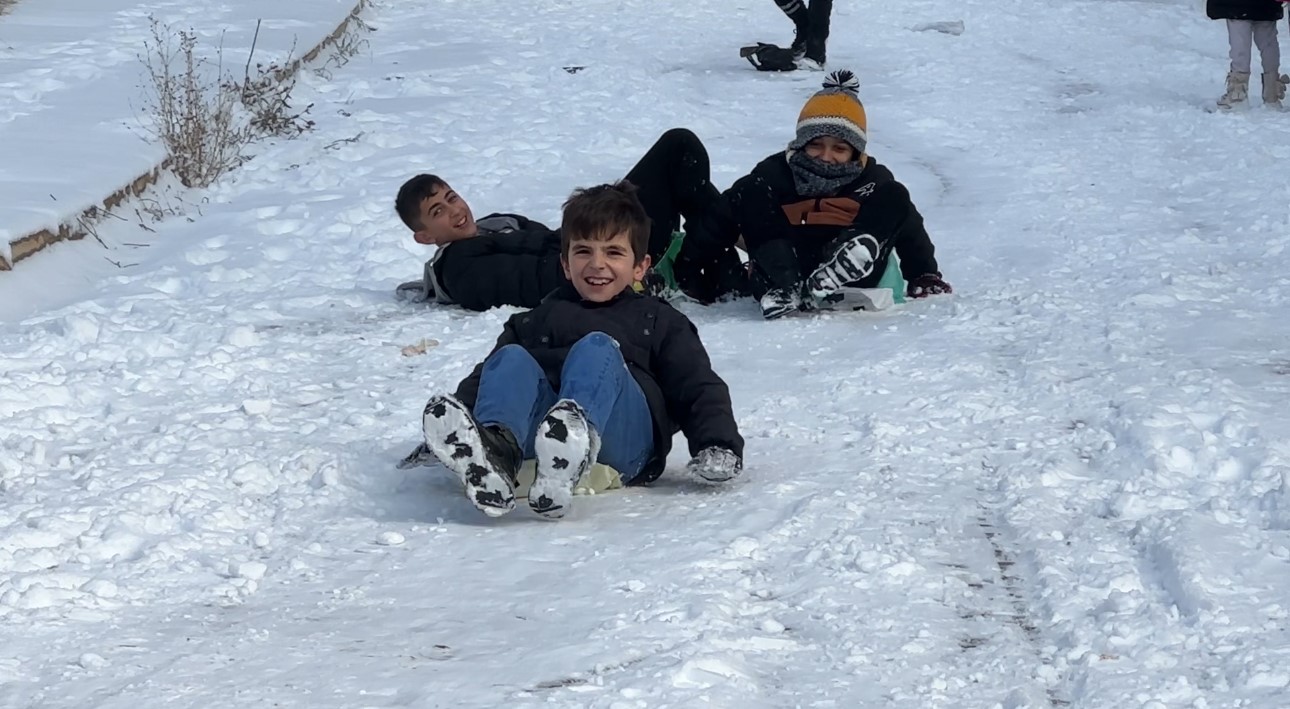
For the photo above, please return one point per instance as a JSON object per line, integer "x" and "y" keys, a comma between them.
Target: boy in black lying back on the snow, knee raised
{"x": 506, "y": 260}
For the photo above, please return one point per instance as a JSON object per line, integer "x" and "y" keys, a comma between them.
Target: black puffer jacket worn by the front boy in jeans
{"x": 662, "y": 351}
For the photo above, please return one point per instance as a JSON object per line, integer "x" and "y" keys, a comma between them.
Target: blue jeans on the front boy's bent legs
{"x": 517, "y": 395}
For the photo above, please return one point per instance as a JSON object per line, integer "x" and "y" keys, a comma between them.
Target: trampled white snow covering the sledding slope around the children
{"x": 1066, "y": 485}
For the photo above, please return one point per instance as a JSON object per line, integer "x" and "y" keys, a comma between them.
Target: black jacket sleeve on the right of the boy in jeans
{"x": 697, "y": 398}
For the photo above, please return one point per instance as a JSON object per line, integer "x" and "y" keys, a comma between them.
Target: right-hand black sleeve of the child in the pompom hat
{"x": 891, "y": 217}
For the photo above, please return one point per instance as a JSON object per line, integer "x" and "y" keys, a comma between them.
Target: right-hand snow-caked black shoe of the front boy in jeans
{"x": 566, "y": 447}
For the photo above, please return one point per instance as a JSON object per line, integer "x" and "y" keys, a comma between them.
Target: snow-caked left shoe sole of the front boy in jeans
{"x": 453, "y": 438}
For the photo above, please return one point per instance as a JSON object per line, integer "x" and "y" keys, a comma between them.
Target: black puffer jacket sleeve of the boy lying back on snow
{"x": 517, "y": 269}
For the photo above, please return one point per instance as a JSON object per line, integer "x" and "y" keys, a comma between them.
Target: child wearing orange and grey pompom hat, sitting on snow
{"x": 824, "y": 215}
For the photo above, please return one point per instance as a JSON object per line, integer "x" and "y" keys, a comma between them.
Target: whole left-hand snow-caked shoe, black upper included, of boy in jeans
{"x": 487, "y": 460}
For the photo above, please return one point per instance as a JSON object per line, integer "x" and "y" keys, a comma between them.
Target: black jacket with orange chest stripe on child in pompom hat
{"x": 788, "y": 235}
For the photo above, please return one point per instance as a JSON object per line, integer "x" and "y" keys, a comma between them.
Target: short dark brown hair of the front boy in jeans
{"x": 603, "y": 212}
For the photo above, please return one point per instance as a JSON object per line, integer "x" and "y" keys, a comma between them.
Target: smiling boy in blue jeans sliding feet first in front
{"x": 595, "y": 373}
